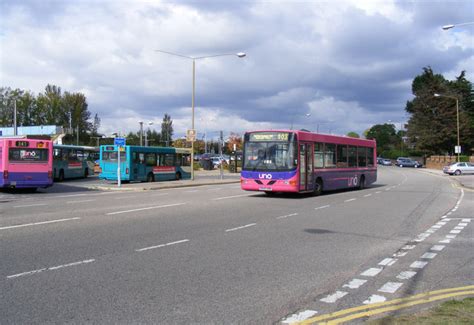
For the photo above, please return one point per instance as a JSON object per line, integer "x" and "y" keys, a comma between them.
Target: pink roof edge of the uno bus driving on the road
{"x": 326, "y": 138}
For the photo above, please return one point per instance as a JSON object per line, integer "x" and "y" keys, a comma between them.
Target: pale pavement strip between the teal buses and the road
{"x": 201, "y": 178}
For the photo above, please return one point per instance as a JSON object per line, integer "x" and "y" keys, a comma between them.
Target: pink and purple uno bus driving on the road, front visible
{"x": 300, "y": 161}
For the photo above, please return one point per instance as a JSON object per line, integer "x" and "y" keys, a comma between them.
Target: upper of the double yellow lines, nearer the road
{"x": 343, "y": 312}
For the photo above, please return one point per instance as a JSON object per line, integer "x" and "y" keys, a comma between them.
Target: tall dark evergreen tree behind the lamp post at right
{"x": 432, "y": 127}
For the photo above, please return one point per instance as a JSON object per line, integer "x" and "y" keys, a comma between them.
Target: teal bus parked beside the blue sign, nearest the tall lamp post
{"x": 145, "y": 163}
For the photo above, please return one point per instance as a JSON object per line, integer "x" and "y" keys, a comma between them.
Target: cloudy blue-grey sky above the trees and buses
{"x": 327, "y": 66}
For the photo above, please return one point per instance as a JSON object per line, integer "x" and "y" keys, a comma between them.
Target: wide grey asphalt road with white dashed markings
{"x": 216, "y": 254}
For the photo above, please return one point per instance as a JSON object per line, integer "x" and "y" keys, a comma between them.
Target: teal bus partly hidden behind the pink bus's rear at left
{"x": 71, "y": 161}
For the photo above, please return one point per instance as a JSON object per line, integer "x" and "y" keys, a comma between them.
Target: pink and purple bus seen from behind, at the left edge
{"x": 26, "y": 163}
